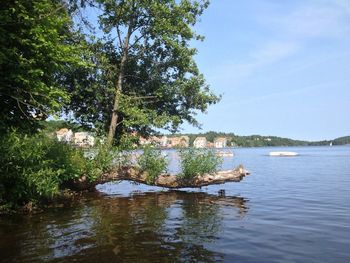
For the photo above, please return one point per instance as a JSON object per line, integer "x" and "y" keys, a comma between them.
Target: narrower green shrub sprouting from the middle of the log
{"x": 153, "y": 163}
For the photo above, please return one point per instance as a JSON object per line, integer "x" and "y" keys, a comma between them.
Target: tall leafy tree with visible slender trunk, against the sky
{"x": 145, "y": 75}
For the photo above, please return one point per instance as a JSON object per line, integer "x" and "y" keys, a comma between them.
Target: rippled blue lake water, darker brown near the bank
{"x": 290, "y": 209}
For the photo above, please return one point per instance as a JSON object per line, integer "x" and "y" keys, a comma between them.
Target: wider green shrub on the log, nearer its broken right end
{"x": 198, "y": 162}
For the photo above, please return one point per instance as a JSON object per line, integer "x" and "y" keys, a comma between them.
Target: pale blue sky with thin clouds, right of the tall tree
{"x": 282, "y": 67}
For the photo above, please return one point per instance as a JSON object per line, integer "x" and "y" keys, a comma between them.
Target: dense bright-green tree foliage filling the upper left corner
{"x": 37, "y": 47}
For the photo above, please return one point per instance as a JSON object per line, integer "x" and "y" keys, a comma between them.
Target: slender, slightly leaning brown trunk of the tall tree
{"x": 118, "y": 89}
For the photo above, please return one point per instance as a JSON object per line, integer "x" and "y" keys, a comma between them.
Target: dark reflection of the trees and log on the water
{"x": 153, "y": 226}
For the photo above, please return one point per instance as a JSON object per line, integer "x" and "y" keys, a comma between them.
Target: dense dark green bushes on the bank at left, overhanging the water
{"x": 33, "y": 168}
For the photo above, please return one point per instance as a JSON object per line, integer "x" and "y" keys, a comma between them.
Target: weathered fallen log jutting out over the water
{"x": 132, "y": 173}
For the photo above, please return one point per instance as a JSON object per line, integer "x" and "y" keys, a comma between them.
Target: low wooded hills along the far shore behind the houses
{"x": 261, "y": 141}
